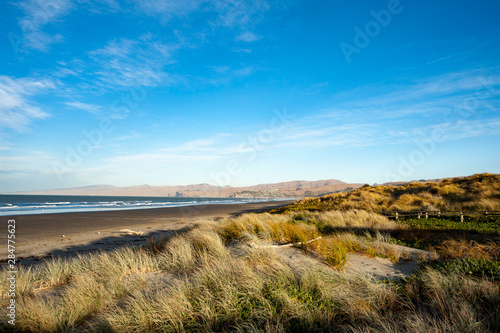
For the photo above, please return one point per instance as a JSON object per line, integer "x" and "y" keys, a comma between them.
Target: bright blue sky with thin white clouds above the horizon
{"x": 233, "y": 92}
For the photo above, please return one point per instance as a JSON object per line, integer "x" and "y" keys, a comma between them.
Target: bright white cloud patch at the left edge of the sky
{"x": 17, "y": 111}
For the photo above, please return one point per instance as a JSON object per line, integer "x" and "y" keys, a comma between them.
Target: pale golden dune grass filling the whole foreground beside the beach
{"x": 223, "y": 276}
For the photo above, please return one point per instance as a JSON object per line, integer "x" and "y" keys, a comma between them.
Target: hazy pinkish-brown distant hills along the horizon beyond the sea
{"x": 292, "y": 189}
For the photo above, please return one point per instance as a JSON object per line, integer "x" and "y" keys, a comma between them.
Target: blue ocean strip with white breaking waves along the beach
{"x": 46, "y": 204}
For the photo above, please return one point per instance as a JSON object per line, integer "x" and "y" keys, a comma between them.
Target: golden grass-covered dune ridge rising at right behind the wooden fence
{"x": 479, "y": 192}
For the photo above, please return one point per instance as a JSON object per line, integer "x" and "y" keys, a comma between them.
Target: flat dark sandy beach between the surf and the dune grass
{"x": 68, "y": 234}
